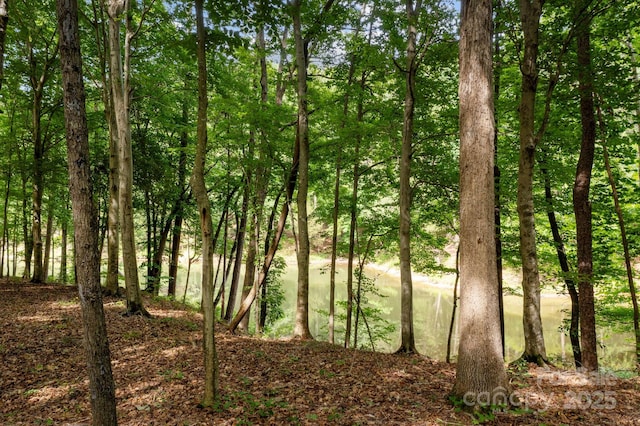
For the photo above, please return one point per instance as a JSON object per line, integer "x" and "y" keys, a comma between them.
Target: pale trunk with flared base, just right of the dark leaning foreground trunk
{"x": 119, "y": 78}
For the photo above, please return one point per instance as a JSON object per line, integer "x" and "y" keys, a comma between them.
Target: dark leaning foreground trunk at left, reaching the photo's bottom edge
{"x": 101, "y": 385}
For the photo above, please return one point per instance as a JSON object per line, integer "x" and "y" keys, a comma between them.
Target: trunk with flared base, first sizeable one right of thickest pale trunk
{"x": 534, "y": 347}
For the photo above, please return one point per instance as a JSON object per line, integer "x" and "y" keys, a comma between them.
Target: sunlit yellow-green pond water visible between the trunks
{"x": 432, "y": 314}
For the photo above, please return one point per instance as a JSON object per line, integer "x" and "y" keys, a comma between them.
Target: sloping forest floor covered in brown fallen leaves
{"x": 157, "y": 365}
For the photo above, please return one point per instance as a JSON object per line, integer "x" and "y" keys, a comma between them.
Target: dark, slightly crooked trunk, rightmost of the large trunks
{"x": 581, "y": 203}
